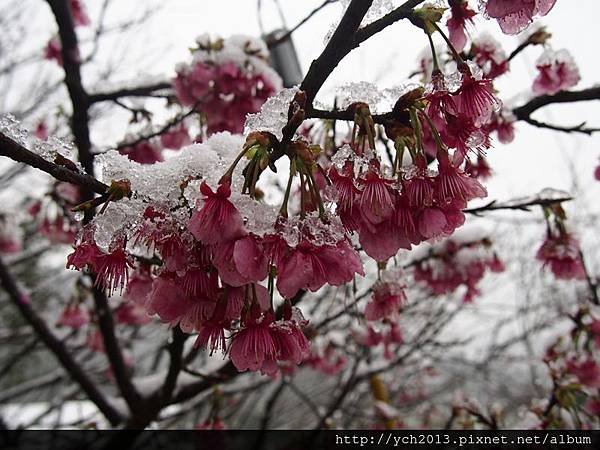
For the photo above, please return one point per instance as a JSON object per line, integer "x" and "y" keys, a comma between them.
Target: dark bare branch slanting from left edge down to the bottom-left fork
{"x": 60, "y": 351}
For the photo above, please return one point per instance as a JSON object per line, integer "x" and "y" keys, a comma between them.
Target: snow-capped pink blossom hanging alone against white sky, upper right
{"x": 557, "y": 72}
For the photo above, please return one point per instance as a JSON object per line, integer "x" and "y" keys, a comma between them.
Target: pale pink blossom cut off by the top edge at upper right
{"x": 514, "y": 16}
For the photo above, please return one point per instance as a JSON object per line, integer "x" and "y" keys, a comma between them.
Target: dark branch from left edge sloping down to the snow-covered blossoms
{"x": 17, "y": 152}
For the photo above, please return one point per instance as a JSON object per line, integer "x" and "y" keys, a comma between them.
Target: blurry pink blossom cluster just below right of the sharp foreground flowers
{"x": 457, "y": 264}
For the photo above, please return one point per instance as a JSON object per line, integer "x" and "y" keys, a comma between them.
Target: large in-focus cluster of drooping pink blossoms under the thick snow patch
{"x": 209, "y": 281}
